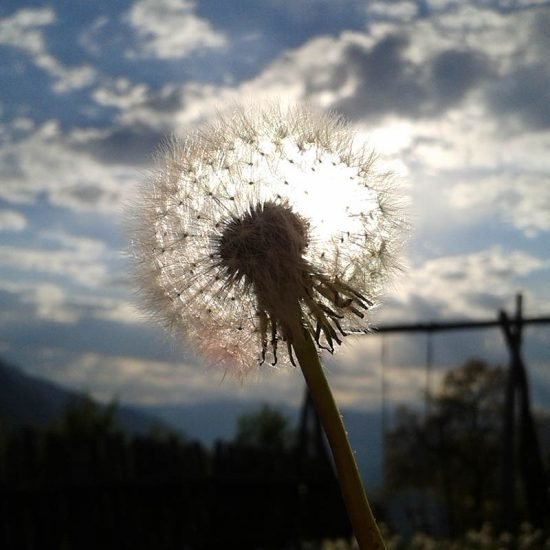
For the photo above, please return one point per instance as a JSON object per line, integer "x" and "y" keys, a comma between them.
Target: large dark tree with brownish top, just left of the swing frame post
{"x": 454, "y": 452}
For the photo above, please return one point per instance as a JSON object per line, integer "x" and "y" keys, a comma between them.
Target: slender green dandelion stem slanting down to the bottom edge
{"x": 362, "y": 520}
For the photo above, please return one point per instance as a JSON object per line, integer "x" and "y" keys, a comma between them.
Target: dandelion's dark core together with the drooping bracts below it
{"x": 264, "y": 248}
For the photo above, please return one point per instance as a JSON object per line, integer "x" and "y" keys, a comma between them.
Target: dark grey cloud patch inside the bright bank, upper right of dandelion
{"x": 390, "y": 82}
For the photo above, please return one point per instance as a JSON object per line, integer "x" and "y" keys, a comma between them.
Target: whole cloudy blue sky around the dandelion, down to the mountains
{"x": 454, "y": 96}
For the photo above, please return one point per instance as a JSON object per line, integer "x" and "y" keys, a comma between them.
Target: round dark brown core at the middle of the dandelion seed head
{"x": 264, "y": 246}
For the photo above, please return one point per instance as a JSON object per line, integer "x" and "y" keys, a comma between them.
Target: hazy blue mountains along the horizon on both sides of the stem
{"x": 29, "y": 400}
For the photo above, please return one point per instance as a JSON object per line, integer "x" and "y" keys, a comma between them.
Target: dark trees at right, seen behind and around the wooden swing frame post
{"x": 452, "y": 459}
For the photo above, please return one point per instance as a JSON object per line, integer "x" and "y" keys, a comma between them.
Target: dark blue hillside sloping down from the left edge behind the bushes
{"x": 29, "y": 400}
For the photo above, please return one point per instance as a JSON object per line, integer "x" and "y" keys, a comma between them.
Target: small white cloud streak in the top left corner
{"x": 23, "y": 30}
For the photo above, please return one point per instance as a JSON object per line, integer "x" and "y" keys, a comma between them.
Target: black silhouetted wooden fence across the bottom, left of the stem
{"x": 76, "y": 492}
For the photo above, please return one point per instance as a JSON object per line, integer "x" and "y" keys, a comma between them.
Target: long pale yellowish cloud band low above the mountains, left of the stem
{"x": 143, "y": 381}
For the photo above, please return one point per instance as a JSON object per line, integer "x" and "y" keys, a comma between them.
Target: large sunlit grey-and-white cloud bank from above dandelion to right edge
{"x": 435, "y": 73}
